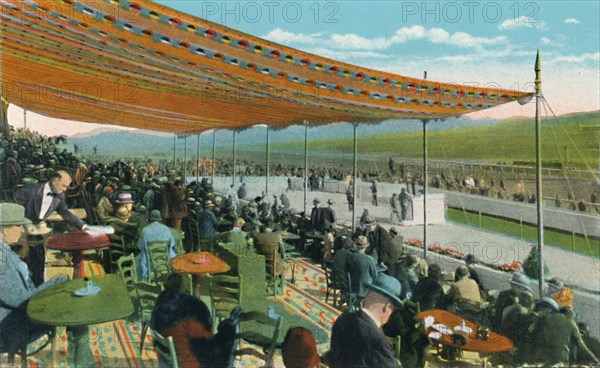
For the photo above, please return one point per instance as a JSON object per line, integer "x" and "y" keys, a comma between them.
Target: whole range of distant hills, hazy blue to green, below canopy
{"x": 569, "y": 139}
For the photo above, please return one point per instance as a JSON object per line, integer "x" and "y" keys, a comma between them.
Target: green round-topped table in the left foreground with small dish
{"x": 58, "y": 306}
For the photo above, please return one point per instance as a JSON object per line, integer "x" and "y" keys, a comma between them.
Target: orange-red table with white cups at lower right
{"x": 494, "y": 344}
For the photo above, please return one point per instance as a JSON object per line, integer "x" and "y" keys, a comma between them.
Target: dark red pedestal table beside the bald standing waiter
{"x": 77, "y": 242}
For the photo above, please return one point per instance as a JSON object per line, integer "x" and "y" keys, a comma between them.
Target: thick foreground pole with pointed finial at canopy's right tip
{"x": 538, "y": 171}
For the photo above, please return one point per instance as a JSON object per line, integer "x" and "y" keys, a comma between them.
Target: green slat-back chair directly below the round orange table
{"x": 224, "y": 295}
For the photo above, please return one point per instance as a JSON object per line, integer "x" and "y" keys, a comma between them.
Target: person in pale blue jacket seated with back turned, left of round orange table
{"x": 155, "y": 232}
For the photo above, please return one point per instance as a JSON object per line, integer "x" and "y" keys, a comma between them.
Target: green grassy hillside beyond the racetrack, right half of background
{"x": 572, "y": 141}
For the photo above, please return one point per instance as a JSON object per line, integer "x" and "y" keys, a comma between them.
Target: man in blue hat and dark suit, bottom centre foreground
{"x": 356, "y": 339}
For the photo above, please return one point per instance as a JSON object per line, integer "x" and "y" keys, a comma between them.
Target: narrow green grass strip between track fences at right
{"x": 577, "y": 243}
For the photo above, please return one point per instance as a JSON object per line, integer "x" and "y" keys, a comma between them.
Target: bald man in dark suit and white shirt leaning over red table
{"x": 40, "y": 201}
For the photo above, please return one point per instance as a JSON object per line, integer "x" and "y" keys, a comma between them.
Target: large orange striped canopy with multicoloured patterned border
{"x": 140, "y": 64}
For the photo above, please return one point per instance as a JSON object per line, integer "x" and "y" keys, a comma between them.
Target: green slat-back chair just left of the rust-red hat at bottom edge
{"x": 258, "y": 328}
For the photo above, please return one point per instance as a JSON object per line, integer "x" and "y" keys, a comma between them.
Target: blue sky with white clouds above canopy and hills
{"x": 472, "y": 42}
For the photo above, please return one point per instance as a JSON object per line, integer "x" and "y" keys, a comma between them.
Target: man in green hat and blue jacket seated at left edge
{"x": 16, "y": 286}
